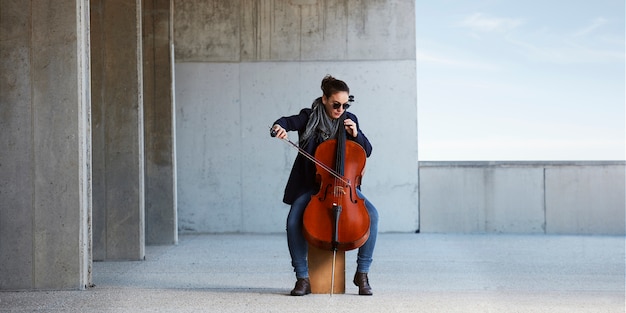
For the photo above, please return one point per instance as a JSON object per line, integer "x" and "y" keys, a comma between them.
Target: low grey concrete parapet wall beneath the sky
{"x": 523, "y": 197}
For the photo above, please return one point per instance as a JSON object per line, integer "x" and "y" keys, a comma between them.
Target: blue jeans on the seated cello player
{"x": 298, "y": 246}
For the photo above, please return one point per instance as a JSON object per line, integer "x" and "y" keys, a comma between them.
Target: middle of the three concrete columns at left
{"x": 118, "y": 151}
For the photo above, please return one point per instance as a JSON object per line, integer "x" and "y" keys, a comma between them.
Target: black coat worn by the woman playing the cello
{"x": 302, "y": 177}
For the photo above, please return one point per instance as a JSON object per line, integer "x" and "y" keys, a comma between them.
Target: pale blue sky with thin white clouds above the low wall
{"x": 502, "y": 80}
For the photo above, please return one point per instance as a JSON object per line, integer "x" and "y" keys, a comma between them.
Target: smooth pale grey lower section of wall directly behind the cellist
{"x": 232, "y": 174}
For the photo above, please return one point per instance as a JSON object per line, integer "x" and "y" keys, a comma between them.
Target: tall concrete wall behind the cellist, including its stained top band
{"x": 243, "y": 64}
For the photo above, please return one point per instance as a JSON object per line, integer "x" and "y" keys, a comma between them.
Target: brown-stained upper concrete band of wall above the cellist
{"x": 288, "y": 30}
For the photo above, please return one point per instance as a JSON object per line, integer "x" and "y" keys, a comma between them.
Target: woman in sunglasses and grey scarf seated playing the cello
{"x": 315, "y": 125}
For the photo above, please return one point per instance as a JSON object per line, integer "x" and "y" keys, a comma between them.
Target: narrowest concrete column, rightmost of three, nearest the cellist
{"x": 160, "y": 169}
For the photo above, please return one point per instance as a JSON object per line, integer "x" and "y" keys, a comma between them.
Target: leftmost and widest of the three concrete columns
{"x": 45, "y": 199}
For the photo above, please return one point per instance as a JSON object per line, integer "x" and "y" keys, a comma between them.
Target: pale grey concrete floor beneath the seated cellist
{"x": 411, "y": 273}
